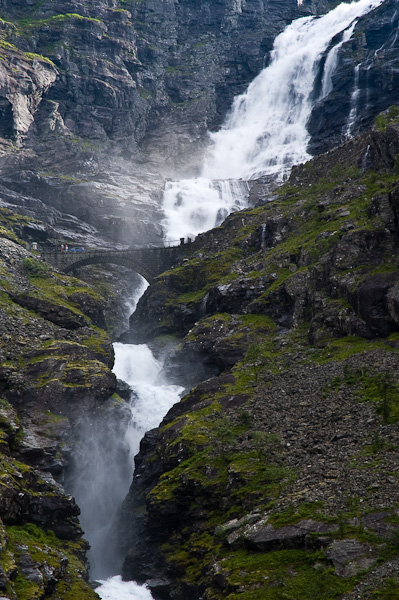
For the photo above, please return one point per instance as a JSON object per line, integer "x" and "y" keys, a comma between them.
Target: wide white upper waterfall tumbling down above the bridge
{"x": 265, "y": 132}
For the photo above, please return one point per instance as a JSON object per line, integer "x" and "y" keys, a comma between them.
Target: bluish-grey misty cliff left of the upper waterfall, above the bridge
{"x": 100, "y": 101}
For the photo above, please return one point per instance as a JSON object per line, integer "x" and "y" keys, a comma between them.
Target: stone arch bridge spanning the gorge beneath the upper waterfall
{"x": 148, "y": 261}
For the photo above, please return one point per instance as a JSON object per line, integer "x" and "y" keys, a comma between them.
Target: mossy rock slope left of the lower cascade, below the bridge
{"x": 55, "y": 365}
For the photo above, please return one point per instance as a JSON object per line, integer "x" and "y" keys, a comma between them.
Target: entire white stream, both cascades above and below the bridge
{"x": 264, "y": 134}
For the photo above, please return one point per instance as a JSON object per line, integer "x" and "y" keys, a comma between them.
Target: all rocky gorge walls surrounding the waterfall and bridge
{"x": 277, "y": 477}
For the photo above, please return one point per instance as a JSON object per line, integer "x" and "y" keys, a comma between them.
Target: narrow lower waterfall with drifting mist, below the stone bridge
{"x": 104, "y": 459}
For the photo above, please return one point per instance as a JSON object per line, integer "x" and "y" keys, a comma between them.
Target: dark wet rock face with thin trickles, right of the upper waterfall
{"x": 364, "y": 83}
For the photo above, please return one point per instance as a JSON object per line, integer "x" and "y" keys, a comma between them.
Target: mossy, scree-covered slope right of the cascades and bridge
{"x": 277, "y": 478}
